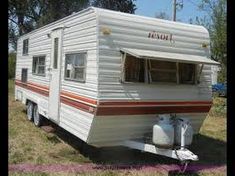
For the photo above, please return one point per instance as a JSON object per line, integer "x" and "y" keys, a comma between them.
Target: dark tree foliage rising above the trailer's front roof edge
{"x": 126, "y": 6}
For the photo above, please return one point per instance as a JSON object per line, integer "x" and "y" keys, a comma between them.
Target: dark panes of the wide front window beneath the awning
{"x": 156, "y": 71}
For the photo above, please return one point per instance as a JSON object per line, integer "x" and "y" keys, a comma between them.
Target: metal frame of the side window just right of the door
{"x": 83, "y": 67}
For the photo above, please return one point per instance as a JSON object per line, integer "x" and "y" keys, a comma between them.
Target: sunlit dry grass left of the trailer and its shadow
{"x": 29, "y": 144}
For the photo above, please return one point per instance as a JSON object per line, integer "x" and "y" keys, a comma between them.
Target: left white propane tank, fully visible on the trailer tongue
{"x": 163, "y": 132}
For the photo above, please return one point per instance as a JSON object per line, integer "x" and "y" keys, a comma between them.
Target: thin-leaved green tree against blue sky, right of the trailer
{"x": 216, "y": 23}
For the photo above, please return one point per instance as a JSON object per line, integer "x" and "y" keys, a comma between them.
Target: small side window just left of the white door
{"x": 38, "y": 65}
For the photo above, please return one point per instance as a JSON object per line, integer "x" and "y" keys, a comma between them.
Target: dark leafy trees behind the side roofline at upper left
{"x": 26, "y": 15}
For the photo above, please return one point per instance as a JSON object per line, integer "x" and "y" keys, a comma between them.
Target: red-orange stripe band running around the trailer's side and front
{"x": 121, "y": 107}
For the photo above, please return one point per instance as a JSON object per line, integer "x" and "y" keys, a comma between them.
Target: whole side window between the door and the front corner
{"x": 75, "y": 66}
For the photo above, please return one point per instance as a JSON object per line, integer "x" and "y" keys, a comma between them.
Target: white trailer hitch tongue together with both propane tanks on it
{"x": 170, "y": 138}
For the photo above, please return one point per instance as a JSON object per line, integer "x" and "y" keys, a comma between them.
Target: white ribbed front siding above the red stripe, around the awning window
{"x": 131, "y": 31}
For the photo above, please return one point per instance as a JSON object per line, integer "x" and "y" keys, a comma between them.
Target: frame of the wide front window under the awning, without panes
{"x": 148, "y": 80}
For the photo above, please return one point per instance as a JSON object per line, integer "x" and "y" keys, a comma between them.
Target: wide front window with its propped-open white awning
{"x": 156, "y": 67}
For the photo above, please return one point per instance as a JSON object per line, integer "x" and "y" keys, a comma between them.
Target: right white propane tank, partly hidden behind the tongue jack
{"x": 188, "y": 131}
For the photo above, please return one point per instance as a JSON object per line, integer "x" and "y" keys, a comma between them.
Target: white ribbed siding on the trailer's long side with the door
{"x": 79, "y": 35}
